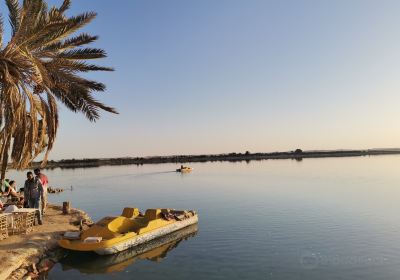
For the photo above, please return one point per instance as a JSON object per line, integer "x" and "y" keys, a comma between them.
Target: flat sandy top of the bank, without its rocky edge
{"x": 25, "y": 249}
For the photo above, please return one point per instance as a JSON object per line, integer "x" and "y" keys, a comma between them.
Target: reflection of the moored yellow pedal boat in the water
{"x": 155, "y": 250}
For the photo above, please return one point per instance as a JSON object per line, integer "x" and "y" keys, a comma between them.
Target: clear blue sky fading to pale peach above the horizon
{"x": 220, "y": 76}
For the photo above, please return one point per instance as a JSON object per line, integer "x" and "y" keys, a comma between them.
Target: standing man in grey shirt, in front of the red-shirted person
{"x": 33, "y": 191}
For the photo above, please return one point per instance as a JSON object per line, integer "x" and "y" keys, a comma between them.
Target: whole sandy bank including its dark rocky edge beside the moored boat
{"x": 26, "y": 256}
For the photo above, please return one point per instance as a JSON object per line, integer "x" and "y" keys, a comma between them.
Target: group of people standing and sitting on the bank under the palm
{"x": 34, "y": 192}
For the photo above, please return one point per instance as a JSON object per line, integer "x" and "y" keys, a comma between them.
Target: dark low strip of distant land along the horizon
{"x": 232, "y": 157}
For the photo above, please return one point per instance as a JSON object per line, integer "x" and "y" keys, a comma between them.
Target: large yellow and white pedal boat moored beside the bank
{"x": 111, "y": 235}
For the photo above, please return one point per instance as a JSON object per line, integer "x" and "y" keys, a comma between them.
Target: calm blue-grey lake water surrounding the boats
{"x": 277, "y": 219}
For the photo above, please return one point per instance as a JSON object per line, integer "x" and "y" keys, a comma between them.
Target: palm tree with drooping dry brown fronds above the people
{"x": 39, "y": 67}
